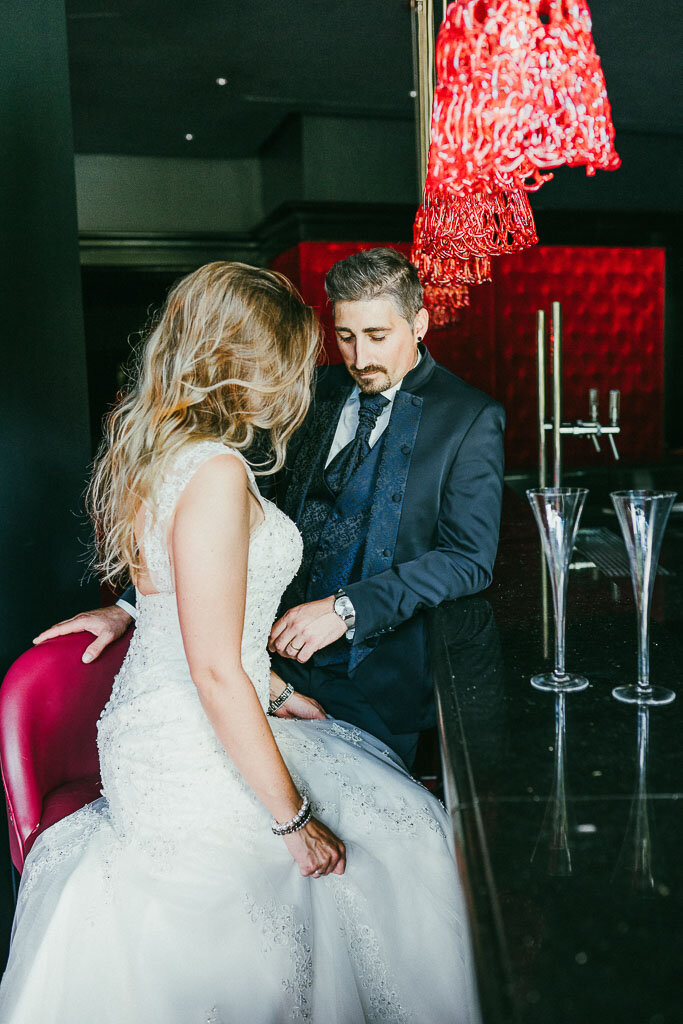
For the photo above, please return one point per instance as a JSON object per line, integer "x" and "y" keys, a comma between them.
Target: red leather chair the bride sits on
{"x": 50, "y": 706}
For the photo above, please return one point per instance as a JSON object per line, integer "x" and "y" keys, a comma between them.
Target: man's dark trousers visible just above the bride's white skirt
{"x": 332, "y": 687}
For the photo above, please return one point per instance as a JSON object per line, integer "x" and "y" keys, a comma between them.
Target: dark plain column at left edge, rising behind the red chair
{"x": 45, "y": 433}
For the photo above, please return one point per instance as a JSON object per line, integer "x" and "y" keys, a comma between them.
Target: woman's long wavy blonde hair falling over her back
{"x": 233, "y": 354}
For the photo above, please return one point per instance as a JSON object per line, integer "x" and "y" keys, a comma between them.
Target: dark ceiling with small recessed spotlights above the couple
{"x": 144, "y": 72}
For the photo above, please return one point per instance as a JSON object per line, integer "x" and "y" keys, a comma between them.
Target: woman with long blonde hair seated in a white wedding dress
{"x": 239, "y": 868}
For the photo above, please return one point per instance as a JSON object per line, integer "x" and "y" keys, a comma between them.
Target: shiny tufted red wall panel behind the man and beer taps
{"x": 613, "y": 305}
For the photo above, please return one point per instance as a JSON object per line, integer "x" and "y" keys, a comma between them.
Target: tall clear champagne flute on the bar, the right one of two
{"x": 643, "y": 517}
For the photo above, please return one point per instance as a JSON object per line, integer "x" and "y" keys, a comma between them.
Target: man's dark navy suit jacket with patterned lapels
{"x": 434, "y": 530}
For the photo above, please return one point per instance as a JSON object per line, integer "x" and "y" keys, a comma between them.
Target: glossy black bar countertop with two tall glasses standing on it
{"x": 568, "y": 812}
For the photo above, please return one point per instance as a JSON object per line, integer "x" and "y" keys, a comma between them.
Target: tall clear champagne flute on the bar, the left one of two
{"x": 558, "y": 511}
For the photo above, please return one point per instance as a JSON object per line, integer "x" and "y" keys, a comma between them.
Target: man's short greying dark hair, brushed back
{"x": 376, "y": 273}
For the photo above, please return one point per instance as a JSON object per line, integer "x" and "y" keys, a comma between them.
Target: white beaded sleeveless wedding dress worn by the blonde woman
{"x": 169, "y": 902}
